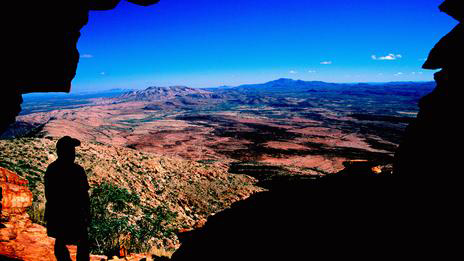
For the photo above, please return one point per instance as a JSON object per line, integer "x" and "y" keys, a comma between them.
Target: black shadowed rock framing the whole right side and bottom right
{"x": 361, "y": 216}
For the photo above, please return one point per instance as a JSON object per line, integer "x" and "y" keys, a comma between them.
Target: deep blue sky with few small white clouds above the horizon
{"x": 205, "y": 43}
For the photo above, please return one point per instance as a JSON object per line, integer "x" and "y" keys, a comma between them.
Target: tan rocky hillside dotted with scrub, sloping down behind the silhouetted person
{"x": 149, "y": 198}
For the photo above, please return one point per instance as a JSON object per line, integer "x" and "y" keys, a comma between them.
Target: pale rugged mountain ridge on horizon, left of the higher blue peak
{"x": 164, "y": 93}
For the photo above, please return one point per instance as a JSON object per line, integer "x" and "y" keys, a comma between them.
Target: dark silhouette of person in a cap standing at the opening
{"x": 67, "y": 210}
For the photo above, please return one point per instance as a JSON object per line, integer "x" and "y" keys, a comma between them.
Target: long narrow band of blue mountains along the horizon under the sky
{"x": 280, "y": 87}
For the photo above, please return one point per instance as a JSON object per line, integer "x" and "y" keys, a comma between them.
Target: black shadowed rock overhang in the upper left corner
{"x": 41, "y": 47}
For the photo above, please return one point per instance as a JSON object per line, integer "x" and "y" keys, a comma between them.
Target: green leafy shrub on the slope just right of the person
{"x": 118, "y": 218}
